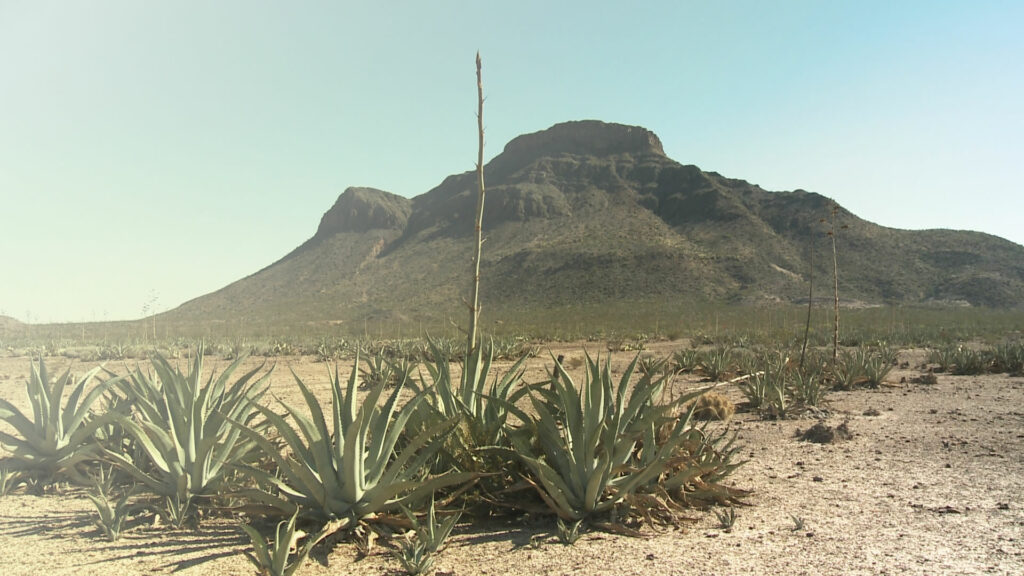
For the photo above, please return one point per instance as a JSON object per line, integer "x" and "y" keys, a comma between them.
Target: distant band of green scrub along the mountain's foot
{"x": 905, "y": 326}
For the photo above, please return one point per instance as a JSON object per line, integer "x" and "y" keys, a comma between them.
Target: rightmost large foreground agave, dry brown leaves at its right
{"x": 604, "y": 446}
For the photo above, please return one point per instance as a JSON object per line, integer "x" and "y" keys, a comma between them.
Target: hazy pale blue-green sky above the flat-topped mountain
{"x": 153, "y": 152}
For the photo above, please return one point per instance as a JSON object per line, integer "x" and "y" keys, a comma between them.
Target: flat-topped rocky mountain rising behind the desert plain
{"x": 591, "y": 213}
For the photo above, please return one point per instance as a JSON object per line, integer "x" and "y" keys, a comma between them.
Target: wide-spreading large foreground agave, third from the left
{"x": 357, "y": 472}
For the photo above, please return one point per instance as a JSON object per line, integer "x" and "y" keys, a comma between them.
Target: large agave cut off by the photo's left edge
{"x": 58, "y": 440}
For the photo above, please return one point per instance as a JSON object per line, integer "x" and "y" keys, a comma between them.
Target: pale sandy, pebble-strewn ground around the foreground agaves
{"x": 931, "y": 485}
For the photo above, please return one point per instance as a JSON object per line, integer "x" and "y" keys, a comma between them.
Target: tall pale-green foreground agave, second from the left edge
{"x": 184, "y": 429}
